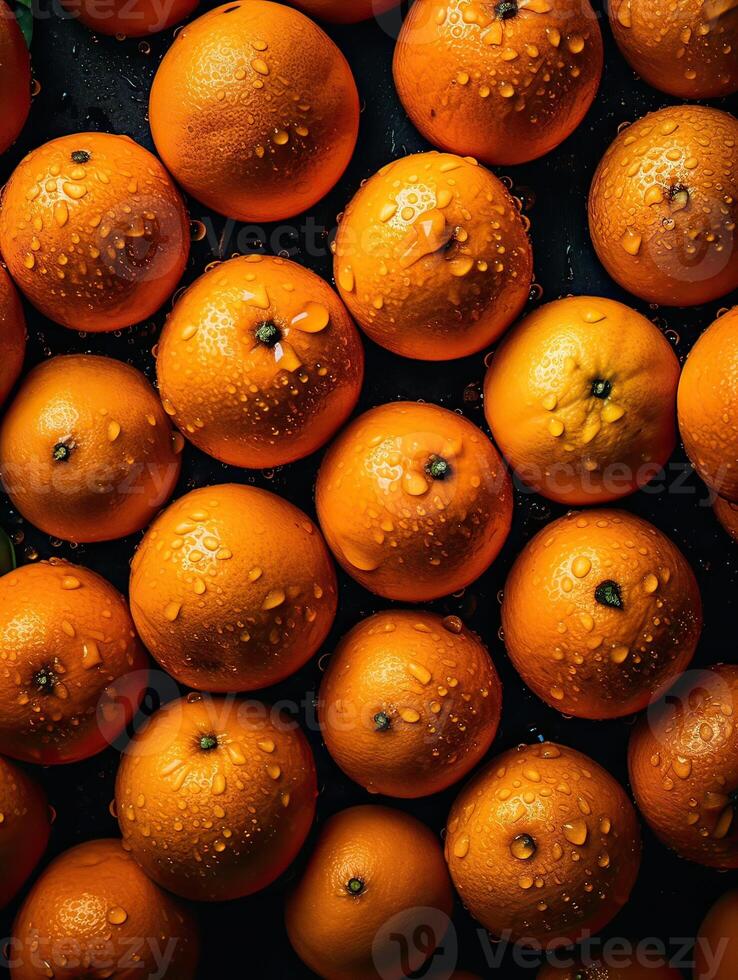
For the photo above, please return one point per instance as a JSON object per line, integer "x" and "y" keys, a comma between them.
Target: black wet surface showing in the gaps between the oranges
{"x": 91, "y": 82}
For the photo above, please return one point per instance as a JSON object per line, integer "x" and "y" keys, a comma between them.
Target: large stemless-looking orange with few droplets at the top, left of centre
{"x": 255, "y": 111}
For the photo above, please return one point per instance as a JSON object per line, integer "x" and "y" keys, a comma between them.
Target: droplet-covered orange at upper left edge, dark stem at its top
{"x": 97, "y": 244}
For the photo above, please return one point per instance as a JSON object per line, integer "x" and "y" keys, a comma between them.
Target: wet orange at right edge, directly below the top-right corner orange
{"x": 663, "y": 206}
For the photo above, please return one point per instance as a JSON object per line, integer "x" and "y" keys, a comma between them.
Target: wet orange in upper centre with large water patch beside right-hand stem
{"x": 432, "y": 257}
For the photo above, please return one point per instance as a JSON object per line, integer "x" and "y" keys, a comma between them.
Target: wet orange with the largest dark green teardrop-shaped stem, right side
{"x": 601, "y": 611}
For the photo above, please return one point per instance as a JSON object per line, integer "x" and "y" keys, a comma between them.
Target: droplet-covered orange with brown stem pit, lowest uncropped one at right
{"x": 543, "y": 844}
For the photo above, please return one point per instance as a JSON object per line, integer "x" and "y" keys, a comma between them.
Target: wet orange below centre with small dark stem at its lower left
{"x": 410, "y": 702}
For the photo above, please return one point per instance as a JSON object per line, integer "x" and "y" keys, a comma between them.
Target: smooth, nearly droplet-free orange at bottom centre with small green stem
{"x": 376, "y": 875}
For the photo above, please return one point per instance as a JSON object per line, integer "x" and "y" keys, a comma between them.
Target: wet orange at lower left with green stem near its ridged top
{"x": 215, "y": 796}
